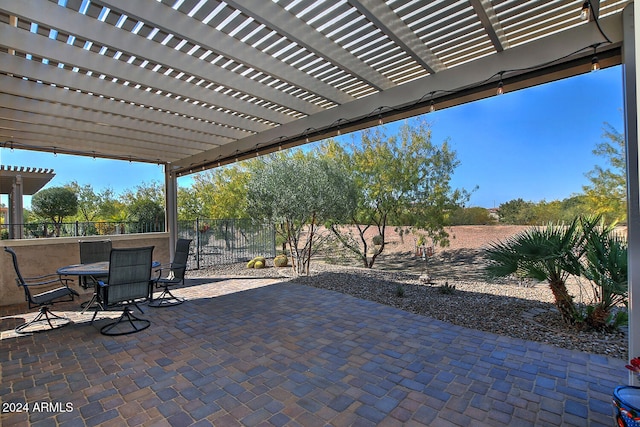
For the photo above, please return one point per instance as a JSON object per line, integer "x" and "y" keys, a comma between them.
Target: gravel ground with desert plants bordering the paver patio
{"x": 505, "y": 308}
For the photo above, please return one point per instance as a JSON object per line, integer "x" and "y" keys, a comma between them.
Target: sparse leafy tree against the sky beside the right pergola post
{"x": 607, "y": 192}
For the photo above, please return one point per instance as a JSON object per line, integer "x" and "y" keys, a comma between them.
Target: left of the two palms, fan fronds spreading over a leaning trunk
{"x": 550, "y": 253}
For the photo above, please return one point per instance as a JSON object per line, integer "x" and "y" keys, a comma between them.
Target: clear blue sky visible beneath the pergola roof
{"x": 535, "y": 144}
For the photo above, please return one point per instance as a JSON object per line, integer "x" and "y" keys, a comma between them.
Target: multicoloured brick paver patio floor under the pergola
{"x": 259, "y": 352}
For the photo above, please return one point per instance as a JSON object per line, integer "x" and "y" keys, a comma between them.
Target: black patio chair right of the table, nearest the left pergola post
{"x": 174, "y": 276}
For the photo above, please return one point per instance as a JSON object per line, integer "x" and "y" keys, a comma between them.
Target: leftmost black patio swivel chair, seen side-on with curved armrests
{"x": 42, "y": 291}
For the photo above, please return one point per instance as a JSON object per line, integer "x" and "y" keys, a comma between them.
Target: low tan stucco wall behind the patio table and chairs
{"x": 44, "y": 256}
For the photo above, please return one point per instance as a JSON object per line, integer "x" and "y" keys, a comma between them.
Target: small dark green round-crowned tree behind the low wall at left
{"x": 55, "y": 203}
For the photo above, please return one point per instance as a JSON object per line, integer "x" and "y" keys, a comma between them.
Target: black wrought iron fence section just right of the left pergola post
{"x": 226, "y": 241}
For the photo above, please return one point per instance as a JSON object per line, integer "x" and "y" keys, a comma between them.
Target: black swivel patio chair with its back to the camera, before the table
{"x": 128, "y": 283}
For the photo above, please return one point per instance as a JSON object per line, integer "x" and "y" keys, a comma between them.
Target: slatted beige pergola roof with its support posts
{"x": 196, "y": 84}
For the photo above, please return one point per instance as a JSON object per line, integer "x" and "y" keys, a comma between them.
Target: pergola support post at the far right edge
{"x": 631, "y": 19}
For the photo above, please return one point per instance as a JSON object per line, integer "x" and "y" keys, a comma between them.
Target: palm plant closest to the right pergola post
{"x": 605, "y": 265}
